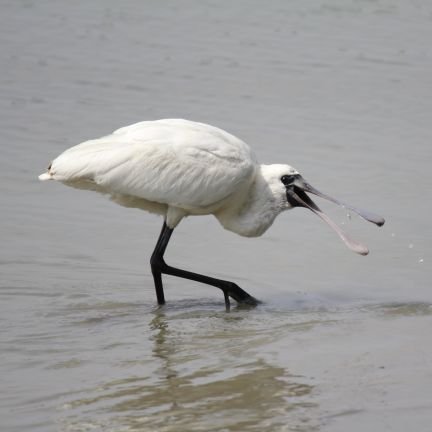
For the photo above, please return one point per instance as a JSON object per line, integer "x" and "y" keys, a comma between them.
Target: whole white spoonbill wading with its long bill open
{"x": 177, "y": 168}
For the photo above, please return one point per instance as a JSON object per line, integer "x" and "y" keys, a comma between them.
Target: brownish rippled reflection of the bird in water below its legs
{"x": 207, "y": 382}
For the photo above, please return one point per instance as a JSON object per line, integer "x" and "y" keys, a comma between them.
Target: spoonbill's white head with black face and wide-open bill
{"x": 292, "y": 190}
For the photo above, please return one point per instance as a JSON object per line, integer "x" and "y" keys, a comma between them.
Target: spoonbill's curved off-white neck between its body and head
{"x": 252, "y": 210}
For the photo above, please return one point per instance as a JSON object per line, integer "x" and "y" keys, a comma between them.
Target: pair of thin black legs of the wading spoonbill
{"x": 159, "y": 267}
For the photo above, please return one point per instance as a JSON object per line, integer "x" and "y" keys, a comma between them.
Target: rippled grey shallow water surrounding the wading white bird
{"x": 342, "y": 90}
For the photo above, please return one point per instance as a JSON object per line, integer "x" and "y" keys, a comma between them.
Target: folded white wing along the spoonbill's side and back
{"x": 175, "y": 162}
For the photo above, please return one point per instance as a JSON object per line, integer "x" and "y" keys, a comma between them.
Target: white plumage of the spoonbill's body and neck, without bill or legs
{"x": 171, "y": 167}
